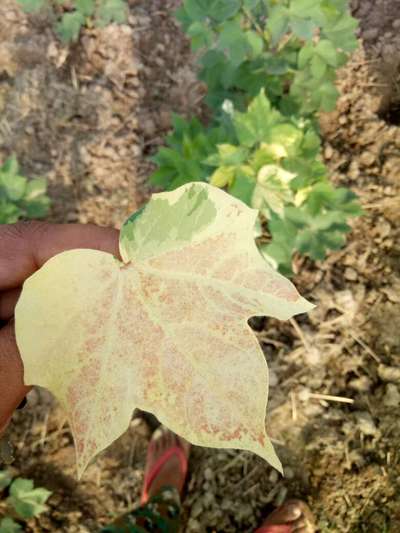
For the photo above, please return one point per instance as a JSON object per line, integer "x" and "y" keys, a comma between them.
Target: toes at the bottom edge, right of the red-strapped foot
{"x": 294, "y": 514}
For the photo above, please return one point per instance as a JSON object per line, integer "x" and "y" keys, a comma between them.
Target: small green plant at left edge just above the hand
{"x": 20, "y": 197}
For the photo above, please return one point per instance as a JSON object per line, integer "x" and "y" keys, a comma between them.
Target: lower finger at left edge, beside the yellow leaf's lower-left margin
{"x": 12, "y": 387}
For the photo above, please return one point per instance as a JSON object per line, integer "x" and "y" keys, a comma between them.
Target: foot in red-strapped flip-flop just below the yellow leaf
{"x": 170, "y": 473}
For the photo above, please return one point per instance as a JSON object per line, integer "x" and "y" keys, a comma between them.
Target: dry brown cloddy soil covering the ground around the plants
{"x": 87, "y": 118}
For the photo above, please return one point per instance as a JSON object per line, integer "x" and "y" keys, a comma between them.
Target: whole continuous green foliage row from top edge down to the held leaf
{"x": 270, "y": 67}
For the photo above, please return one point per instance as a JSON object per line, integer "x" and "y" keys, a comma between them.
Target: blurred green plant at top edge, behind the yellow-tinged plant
{"x": 248, "y": 45}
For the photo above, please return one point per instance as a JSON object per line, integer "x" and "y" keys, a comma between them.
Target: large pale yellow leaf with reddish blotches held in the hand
{"x": 165, "y": 330}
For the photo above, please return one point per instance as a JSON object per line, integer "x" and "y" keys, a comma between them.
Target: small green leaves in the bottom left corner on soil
{"x": 26, "y": 501}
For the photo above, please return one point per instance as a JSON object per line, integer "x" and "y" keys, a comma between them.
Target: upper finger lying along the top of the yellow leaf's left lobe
{"x": 26, "y": 246}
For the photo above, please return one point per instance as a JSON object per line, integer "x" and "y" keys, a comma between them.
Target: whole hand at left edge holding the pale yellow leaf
{"x": 24, "y": 248}
